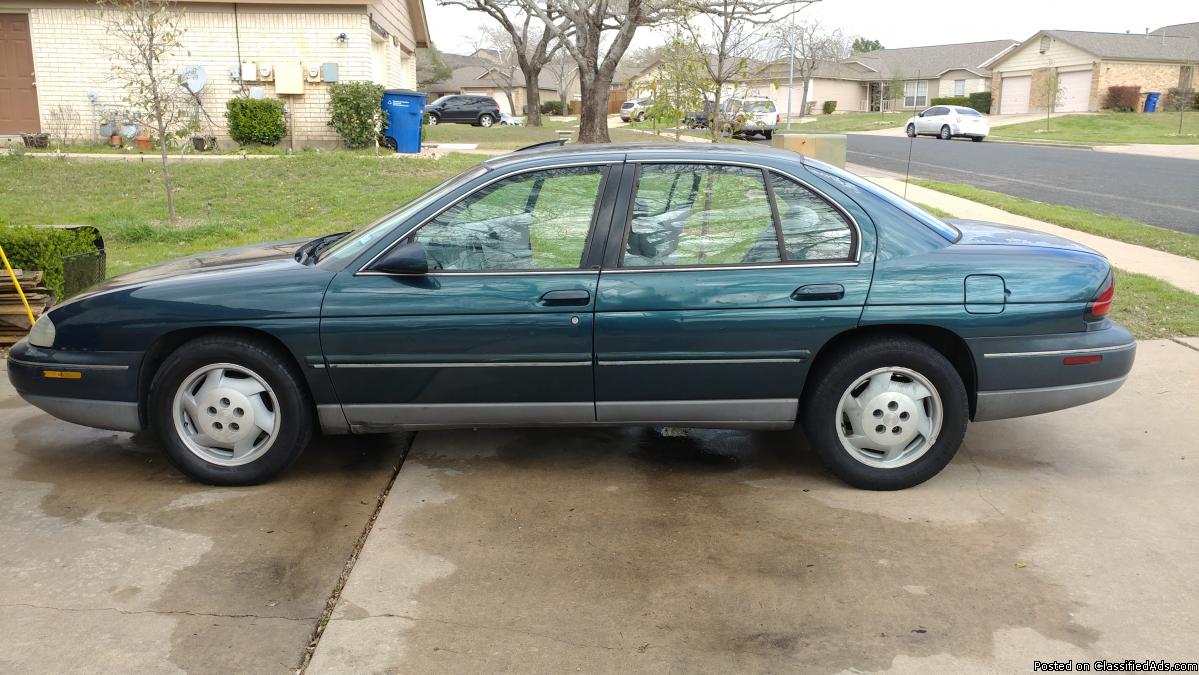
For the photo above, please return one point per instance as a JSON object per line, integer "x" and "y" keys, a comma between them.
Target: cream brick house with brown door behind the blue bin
{"x": 55, "y": 53}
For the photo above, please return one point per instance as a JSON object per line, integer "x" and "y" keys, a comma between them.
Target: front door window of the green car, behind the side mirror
{"x": 532, "y": 221}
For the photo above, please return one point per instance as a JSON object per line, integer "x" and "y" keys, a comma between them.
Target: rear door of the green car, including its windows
{"x": 718, "y": 292}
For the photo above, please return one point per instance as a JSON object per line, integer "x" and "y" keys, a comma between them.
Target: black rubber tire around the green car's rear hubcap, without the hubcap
{"x": 839, "y": 371}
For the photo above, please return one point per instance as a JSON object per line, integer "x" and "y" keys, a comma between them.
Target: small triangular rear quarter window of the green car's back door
{"x": 814, "y": 230}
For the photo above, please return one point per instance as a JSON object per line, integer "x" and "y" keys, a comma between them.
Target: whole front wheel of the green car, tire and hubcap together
{"x": 231, "y": 411}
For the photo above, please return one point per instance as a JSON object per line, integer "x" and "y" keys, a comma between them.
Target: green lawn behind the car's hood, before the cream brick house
{"x": 220, "y": 204}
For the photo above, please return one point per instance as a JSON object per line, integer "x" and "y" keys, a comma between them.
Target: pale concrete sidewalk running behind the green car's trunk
{"x": 1183, "y": 273}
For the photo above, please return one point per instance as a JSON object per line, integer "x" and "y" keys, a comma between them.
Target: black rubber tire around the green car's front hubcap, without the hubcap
{"x": 278, "y": 370}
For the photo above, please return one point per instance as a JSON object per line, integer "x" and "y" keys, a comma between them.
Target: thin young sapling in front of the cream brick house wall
{"x": 148, "y": 35}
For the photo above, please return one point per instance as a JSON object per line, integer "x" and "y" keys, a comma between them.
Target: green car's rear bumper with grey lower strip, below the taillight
{"x": 1031, "y": 376}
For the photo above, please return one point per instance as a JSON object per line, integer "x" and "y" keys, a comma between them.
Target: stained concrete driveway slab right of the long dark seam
{"x": 1069, "y": 535}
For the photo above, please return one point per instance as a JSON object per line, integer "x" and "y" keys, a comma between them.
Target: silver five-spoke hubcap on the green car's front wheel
{"x": 227, "y": 414}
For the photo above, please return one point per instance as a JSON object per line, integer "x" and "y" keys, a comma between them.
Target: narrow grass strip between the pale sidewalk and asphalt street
{"x": 1113, "y": 227}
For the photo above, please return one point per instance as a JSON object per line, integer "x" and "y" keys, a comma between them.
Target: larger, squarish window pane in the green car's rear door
{"x": 701, "y": 215}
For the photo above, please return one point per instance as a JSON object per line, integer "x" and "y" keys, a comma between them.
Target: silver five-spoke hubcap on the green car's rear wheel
{"x": 889, "y": 418}
